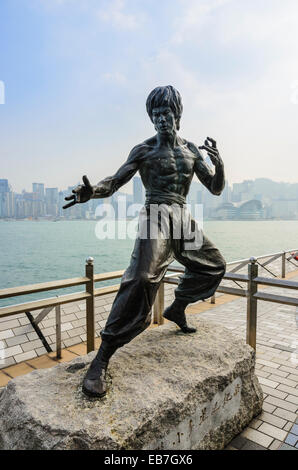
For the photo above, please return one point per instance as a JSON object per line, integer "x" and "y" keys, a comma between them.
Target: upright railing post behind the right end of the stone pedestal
{"x": 251, "y": 325}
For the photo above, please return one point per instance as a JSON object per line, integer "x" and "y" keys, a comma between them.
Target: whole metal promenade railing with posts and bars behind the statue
{"x": 90, "y": 279}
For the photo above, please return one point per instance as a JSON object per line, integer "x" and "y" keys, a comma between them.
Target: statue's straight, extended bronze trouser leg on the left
{"x": 130, "y": 313}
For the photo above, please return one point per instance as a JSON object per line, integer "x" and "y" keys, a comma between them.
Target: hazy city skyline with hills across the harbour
{"x": 249, "y": 200}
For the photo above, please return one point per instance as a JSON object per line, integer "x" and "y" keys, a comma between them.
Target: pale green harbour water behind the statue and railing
{"x": 39, "y": 251}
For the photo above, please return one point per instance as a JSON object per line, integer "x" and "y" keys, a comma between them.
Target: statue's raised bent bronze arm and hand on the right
{"x": 214, "y": 181}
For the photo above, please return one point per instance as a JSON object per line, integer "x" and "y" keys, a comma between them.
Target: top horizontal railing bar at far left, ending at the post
{"x": 44, "y": 286}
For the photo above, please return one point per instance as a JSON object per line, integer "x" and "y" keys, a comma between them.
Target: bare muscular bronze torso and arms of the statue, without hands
{"x": 164, "y": 170}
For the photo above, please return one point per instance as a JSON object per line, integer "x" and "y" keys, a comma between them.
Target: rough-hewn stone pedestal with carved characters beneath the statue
{"x": 166, "y": 390}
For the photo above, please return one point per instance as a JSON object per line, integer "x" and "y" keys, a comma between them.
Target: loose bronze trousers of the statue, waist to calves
{"x": 158, "y": 244}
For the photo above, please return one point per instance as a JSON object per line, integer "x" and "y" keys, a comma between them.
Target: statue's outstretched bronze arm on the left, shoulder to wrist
{"x": 111, "y": 184}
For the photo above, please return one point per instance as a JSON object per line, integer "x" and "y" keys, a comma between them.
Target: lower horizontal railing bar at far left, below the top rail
{"x": 39, "y": 304}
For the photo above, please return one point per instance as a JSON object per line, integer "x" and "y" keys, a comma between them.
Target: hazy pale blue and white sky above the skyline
{"x": 77, "y": 74}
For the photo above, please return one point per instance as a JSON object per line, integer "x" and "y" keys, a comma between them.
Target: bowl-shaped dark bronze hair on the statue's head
{"x": 165, "y": 96}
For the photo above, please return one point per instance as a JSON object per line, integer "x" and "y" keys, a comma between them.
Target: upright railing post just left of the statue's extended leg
{"x": 90, "y": 313}
